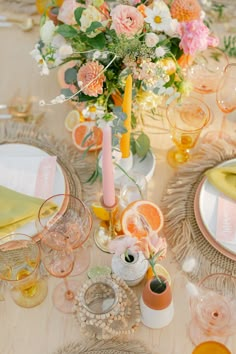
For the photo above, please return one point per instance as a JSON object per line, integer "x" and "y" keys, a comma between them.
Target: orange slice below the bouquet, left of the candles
{"x": 87, "y": 135}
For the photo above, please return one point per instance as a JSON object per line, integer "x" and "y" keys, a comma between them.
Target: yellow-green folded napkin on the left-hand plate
{"x": 17, "y": 209}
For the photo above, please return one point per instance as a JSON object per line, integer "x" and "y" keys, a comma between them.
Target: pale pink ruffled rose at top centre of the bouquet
{"x": 126, "y": 20}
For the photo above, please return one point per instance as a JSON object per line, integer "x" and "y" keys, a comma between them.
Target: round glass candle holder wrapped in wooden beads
{"x": 106, "y": 307}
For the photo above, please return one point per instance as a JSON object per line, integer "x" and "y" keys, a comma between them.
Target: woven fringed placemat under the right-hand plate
{"x": 180, "y": 227}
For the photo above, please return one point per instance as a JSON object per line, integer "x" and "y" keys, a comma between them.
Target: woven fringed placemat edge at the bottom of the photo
{"x": 105, "y": 347}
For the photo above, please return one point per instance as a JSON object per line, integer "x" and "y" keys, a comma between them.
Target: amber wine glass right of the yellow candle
{"x": 186, "y": 118}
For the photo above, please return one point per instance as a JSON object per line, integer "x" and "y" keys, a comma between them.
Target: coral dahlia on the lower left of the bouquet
{"x": 90, "y": 78}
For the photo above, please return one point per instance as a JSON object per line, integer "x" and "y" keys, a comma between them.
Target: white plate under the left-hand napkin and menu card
{"x": 60, "y": 184}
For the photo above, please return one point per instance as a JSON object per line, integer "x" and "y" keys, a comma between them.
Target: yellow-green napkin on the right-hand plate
{"x": 224, "y": 179}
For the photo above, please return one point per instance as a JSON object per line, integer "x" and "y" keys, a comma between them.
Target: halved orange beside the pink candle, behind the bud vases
{"x": 141, "y": 217}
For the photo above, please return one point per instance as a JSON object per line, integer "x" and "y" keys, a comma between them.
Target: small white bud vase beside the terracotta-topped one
{"x": 131, "y": 267}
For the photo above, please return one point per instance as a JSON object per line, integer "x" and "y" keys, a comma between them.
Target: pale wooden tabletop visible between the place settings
{"x": 43, "y": 329}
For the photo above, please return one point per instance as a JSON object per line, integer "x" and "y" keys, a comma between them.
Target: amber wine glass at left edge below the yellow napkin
{"x": 19, "y": 268}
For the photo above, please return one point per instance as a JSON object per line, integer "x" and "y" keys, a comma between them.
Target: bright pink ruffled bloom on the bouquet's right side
{"x": 194, "y": 37}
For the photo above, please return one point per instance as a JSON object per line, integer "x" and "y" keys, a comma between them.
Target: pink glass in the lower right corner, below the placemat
{"x": 213, "y": 309}
